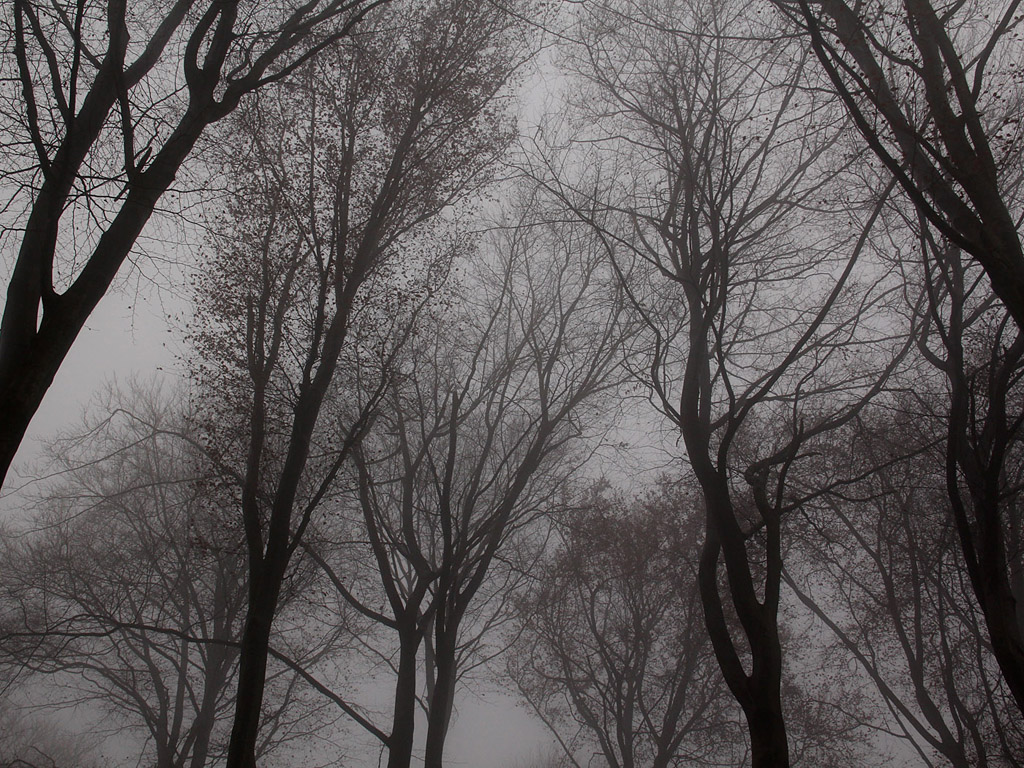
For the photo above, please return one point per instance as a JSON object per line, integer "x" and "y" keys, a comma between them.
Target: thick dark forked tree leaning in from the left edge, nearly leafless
{"x": 107, "y": 102}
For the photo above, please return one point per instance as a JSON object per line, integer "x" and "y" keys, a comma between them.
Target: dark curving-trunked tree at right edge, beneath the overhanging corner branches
{"x": 971, "y": 339}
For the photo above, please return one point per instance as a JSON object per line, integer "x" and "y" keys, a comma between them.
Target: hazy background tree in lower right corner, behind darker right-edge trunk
{"x": 881, "y": 569}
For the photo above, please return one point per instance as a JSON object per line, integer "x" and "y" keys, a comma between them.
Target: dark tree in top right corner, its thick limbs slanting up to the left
{"x": 934, "y": 92}
